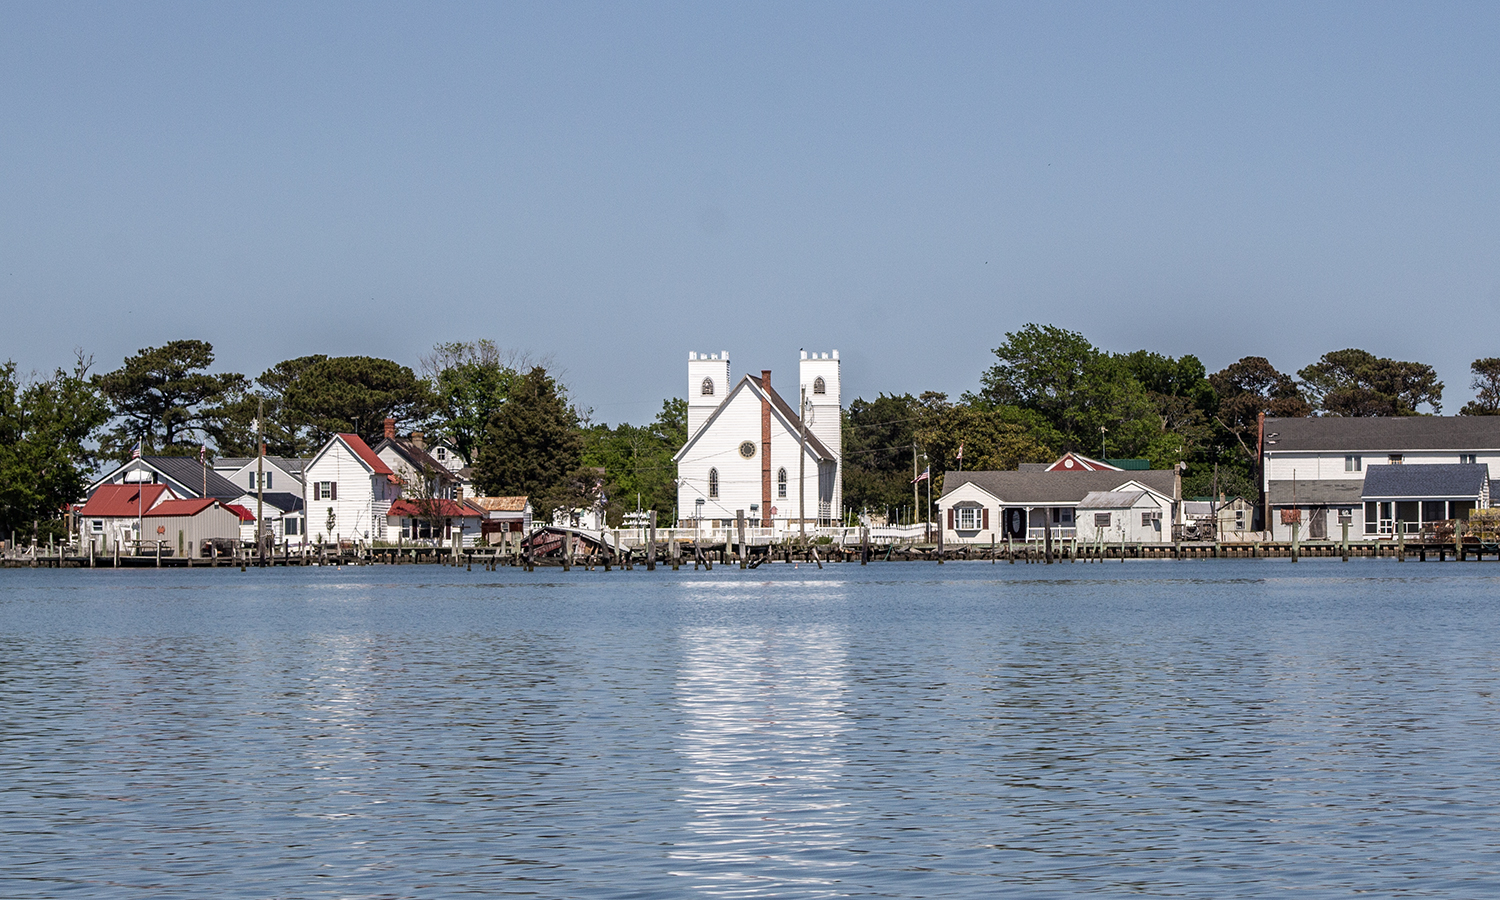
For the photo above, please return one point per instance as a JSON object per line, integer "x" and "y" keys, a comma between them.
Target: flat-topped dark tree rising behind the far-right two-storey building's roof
{"x": 1360, "y": 383}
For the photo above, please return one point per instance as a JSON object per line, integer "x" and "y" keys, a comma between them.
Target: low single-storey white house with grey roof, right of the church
{"x": 1019, "y": 506}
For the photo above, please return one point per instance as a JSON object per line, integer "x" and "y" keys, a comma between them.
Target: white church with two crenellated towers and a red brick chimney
{"x": 748, "y": 449}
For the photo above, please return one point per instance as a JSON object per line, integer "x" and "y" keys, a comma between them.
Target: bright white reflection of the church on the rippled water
{"x": 763, "y": 734}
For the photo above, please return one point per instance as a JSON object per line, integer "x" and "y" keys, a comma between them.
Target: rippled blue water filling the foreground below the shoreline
{"x": 1171, "y": 730}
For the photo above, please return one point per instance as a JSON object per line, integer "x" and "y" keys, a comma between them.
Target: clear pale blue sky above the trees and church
{"x": 616, "y": 185}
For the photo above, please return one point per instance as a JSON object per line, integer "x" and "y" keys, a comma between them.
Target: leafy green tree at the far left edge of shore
{"x": 46, "y": 425}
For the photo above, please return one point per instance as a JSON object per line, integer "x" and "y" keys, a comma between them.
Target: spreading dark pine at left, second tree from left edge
{"x": 166, "y": 397}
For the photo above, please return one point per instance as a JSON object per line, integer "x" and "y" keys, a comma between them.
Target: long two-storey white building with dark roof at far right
{"x": 1315, "y": 470}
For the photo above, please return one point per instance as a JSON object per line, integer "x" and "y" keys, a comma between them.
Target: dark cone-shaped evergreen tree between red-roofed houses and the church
{"x": 532, "y": 446}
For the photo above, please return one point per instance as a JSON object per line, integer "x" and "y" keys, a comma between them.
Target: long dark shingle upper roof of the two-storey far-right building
{"x": 1384, "y": 434}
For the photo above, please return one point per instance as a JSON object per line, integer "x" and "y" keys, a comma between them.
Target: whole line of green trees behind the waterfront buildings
{"x": 515, "y": 422}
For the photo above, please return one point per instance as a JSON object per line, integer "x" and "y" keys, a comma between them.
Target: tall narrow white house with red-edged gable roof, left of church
{"x": 350, "y": 491}
